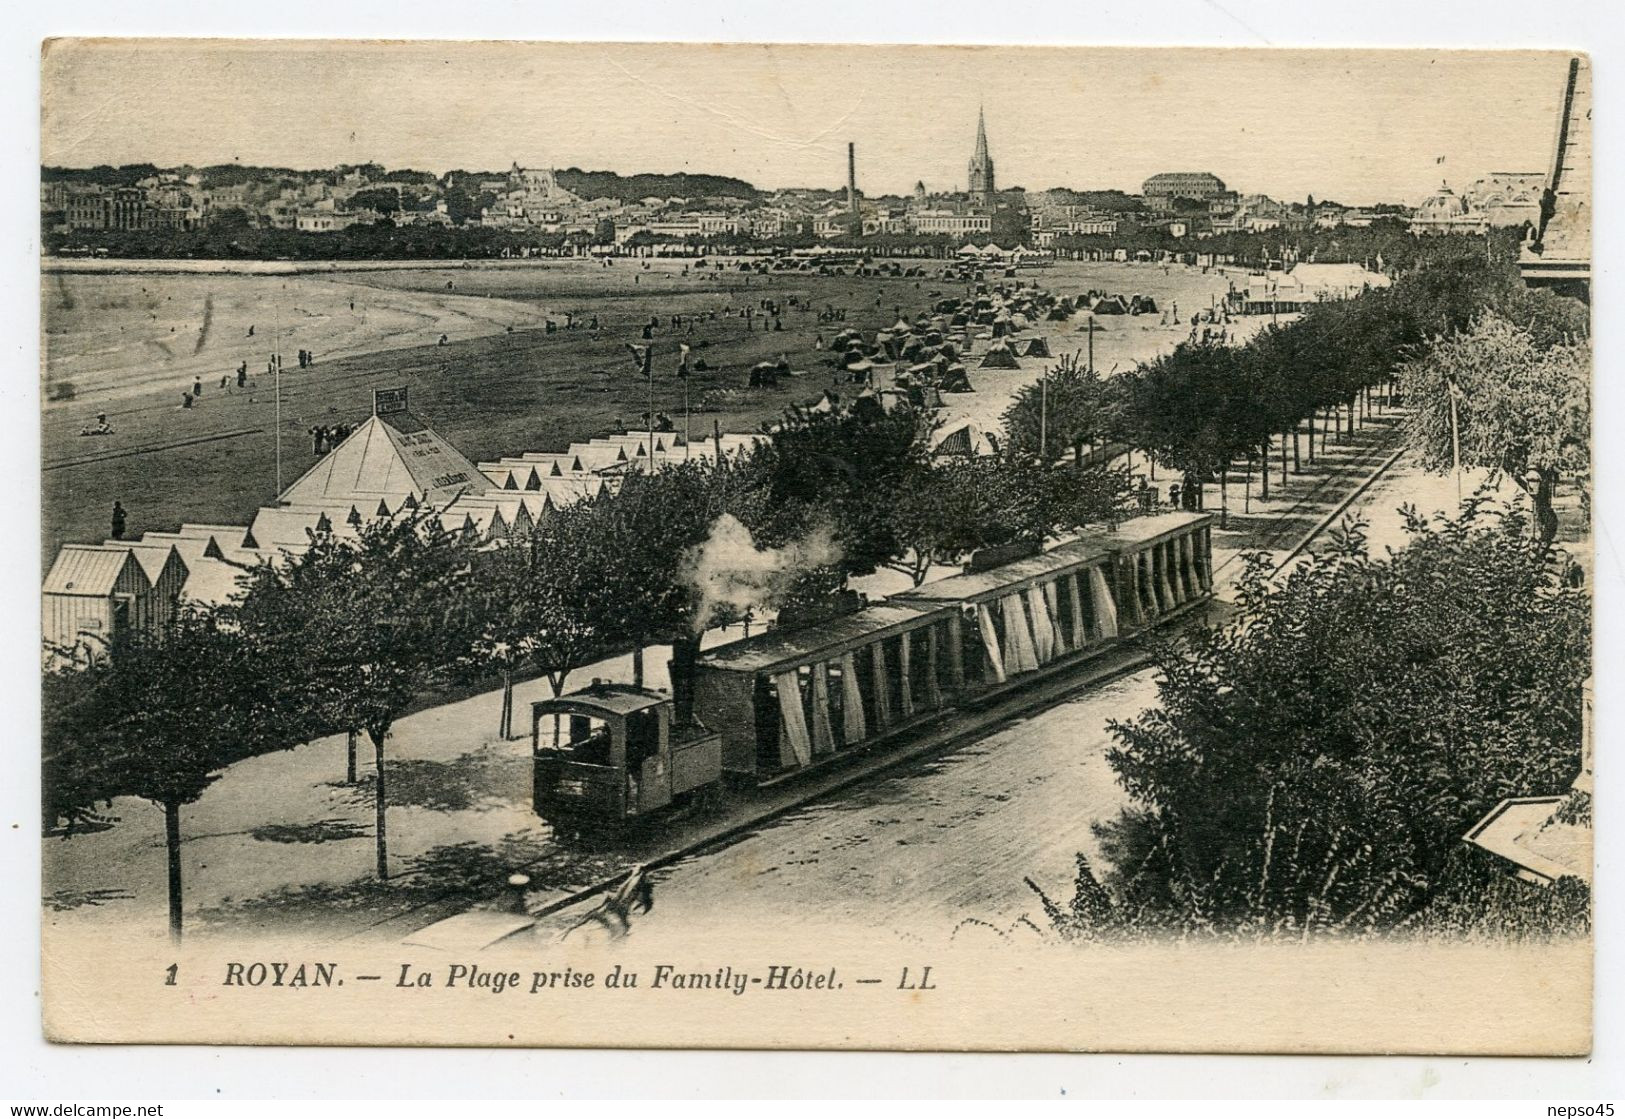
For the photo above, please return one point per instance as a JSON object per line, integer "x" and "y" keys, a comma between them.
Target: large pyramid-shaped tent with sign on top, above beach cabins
{"x": 391, "y": 456}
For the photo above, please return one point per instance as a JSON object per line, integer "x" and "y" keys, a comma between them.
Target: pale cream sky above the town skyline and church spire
{"x": 1356, "y": 127}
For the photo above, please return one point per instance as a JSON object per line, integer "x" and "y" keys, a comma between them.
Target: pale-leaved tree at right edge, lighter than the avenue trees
{"x": 1520, "y": 408}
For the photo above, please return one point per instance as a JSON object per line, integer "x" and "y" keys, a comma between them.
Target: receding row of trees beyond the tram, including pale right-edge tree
{"x": 1207, "y": 407}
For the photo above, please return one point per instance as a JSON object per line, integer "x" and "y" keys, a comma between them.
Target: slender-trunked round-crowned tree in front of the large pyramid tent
{"x": 366, "y": 621}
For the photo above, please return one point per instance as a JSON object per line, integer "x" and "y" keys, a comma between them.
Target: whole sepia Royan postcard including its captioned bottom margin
{"x": 768, "y": 547}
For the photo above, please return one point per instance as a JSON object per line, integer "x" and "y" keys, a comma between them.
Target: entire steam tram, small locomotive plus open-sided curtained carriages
{"x": 792, "y": 699}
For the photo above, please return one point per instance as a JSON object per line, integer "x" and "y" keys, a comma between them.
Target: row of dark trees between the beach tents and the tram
{"x": 363, "y": 628}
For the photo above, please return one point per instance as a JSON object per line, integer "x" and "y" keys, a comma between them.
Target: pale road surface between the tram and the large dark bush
{"x": 932, "y": 844}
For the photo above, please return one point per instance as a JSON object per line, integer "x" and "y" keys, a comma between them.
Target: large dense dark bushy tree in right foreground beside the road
{"x": 1312, "y": 766}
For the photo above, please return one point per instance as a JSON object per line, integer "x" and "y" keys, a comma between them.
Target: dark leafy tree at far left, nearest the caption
{"x": 160, "y": 719}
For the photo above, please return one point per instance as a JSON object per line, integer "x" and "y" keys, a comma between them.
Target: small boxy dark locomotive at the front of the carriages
{"x": 612, "y": 753}
